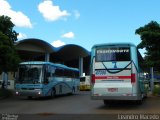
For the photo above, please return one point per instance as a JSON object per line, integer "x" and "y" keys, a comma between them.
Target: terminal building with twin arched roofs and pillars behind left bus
{"x": 39, "y": 50}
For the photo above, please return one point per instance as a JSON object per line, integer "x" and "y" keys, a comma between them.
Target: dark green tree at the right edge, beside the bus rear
{"x": 150, "y": 36}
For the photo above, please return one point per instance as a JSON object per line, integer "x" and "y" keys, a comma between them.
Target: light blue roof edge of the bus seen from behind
{"x": 114, "y": 44}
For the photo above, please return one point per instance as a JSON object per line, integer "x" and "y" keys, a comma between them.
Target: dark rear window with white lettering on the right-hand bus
{"x": 113, "y": 54}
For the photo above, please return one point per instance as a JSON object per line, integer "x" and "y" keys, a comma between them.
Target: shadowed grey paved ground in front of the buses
{"x": 79, "y": 104}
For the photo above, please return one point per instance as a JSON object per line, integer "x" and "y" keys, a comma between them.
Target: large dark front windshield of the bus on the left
{"x": 30, "y": 74}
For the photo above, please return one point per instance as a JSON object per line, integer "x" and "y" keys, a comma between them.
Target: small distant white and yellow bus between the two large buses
{"x": 85, "y": 83}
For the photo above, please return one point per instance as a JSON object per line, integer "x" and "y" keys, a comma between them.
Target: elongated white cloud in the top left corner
{"x": 18, "y": 18}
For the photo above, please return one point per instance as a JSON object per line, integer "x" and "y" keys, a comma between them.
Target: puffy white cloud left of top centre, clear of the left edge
{"x": 51, "y": 12}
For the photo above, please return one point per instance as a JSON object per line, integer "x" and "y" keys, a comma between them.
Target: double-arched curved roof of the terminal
{"x": 66, "y": 52}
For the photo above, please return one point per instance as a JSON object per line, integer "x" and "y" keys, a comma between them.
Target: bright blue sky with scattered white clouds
{"x": 80, "y": 22}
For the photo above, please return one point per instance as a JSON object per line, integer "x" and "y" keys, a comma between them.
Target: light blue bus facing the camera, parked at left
{"x": 38, "y": 79}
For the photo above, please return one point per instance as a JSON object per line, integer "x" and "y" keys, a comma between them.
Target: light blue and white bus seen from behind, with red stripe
{"x": 116, "y": 73}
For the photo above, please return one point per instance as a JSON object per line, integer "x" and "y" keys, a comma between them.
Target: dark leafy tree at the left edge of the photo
{"x": 9, "y": 59}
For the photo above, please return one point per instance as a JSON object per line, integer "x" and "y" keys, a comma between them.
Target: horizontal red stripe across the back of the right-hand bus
{"x": 112, "y": 77}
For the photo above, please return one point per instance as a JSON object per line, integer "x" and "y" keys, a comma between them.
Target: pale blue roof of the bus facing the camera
{"x": 50, "y": 63}
